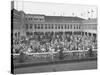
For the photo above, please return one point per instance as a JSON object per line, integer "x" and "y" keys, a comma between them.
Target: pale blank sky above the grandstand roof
{"x": 56, "y": 9}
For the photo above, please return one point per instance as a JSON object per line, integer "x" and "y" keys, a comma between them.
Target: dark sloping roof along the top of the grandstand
{"x": 58, "y": 19}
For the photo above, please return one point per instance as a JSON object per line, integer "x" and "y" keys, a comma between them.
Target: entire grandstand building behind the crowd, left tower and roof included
{"x": 37, "y": 23}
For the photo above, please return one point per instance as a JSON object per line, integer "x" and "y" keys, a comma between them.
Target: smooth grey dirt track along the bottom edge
{"x": 58, "y": 67}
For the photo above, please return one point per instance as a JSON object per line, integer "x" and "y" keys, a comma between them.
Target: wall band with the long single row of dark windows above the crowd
{"x": 54, "y": 27}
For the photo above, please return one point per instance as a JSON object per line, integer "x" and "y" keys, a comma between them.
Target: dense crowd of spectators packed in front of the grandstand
{"x": 50, "y": 42}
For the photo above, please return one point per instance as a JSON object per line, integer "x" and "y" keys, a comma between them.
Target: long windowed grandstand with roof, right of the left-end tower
{"x": 42, "y": 23}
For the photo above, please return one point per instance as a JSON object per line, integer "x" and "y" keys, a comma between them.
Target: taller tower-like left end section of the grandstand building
{"x": 17, "y": 22}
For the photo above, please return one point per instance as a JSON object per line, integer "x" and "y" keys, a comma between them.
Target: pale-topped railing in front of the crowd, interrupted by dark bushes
{"x": 69, "y": 55}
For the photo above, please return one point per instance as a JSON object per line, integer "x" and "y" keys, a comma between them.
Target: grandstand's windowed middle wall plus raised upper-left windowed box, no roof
{"x": 44, "y": 26}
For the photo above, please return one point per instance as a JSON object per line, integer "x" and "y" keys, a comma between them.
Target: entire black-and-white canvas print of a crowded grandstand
{"x": 52, "y": 37}
